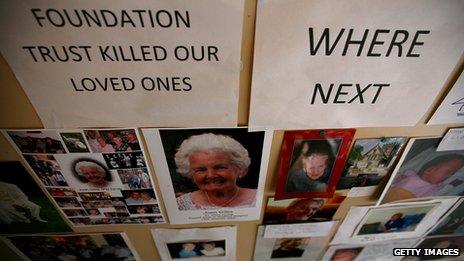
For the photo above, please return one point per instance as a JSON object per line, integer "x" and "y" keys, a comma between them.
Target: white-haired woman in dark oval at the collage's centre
{"x": 93, "y": 174}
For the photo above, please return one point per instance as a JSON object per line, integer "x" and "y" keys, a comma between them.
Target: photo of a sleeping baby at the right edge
{"x": 425, "y": 172}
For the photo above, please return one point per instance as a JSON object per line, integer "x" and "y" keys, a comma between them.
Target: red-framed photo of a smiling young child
{"x": 312, "y": 162}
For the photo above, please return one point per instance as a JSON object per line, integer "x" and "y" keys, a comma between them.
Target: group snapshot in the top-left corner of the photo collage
{"x": 47, "y": 141}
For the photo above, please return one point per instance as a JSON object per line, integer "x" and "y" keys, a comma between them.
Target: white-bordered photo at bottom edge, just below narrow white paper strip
{"x": 299, "y": 248}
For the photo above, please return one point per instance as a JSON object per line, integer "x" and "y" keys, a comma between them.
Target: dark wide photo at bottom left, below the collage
{"x": 109, "y": 246}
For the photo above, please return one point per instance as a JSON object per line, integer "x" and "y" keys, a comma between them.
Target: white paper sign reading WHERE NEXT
{"x": 359, "y": 63}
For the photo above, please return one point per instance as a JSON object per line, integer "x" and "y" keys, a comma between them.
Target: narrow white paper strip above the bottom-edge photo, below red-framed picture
{"x": 319, "y": 229}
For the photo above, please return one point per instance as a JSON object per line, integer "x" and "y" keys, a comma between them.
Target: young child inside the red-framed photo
{"x": 314, "y": 173}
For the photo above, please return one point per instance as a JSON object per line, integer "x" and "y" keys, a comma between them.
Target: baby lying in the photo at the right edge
{"x": 428, "y": 180}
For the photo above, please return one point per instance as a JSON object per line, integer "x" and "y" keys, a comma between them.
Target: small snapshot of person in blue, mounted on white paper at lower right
{"x": 393, "y": 219}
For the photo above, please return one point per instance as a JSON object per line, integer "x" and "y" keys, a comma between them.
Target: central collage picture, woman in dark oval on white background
{"x": 87, "y": 172}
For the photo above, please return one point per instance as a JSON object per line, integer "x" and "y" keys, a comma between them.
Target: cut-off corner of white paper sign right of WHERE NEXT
{"x": 451, "y": 110}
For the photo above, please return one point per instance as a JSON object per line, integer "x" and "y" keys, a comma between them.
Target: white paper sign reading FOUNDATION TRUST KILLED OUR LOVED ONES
{"x": 119, "y": 63}
